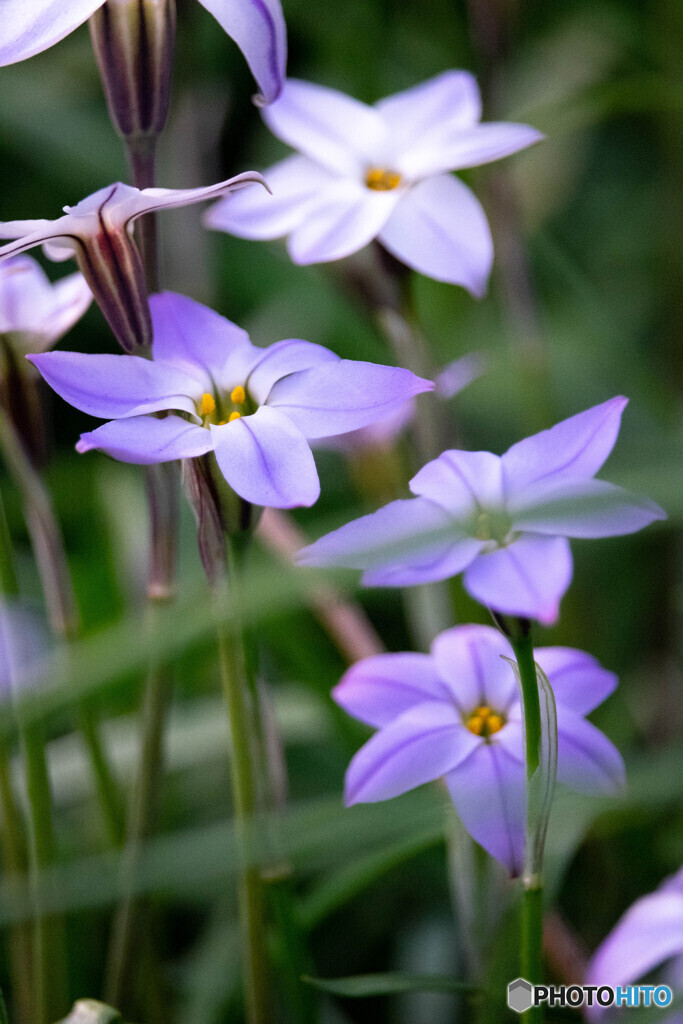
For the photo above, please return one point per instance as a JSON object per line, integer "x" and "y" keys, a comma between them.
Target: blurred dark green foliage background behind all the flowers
{"x": 585, "y": 304}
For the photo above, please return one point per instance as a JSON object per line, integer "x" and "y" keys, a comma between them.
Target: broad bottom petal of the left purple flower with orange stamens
{"x": 267, "y": 460}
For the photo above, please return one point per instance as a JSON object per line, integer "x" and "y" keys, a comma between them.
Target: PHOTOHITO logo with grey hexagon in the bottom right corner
{"x": 523, "y": 996}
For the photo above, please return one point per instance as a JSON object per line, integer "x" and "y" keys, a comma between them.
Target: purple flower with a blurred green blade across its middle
{"x": 503, "y": 521}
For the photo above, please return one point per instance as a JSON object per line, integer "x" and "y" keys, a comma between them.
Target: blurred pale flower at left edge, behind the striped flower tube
{"x": 34, "y": 313}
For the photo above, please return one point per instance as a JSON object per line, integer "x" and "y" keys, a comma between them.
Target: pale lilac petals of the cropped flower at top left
{"x": 257, "y": 26}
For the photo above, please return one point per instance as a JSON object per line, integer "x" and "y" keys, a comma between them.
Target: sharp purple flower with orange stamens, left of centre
{"x": 255, "y": 408}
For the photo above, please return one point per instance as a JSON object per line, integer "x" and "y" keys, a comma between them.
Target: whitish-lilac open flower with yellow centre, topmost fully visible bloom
{"x": 380, "y": 173}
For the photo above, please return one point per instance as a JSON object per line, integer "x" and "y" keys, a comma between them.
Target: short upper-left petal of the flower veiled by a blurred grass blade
{"x": 462, "y": 482}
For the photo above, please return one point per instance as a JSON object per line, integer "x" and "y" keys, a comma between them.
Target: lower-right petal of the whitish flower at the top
{"x": 440, "y": 230}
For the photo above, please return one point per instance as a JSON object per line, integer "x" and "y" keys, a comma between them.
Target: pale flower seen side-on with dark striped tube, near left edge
{"x": 98, "y": 233}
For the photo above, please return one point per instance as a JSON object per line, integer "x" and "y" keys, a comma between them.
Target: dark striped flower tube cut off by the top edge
{"x": 134, "y": 44}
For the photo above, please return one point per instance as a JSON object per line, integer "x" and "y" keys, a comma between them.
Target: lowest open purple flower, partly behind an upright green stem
{"x": 456, "y": 713}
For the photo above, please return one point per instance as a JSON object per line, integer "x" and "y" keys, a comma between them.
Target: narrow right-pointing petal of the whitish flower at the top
{"x": 454, "y": 149}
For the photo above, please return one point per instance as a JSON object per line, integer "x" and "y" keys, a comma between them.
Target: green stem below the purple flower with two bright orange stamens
{"x": 241, "y": 699}
